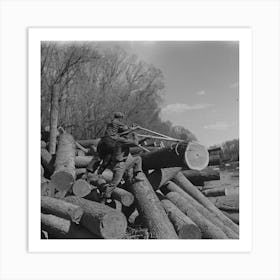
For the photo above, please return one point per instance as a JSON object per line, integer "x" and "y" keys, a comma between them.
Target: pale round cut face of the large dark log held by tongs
{"x": 196, "y": 156}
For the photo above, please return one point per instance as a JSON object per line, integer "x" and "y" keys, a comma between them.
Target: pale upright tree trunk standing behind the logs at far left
{"x": 53, "y": 119}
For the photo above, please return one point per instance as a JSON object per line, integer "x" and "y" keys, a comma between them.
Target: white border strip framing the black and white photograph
{"x": 243, "y": 35}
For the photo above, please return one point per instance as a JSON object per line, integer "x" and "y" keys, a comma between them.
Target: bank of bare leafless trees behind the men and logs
{"x": 82, "y": 84}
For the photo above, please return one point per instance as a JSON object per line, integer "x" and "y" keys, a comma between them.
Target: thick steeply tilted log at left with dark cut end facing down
{"x": 64, "y": 174}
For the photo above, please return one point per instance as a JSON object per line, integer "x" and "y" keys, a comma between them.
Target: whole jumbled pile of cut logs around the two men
{"x": 166, "y": 204}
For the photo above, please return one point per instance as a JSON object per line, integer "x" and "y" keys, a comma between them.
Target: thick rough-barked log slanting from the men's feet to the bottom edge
{"x": 151, "y": 211}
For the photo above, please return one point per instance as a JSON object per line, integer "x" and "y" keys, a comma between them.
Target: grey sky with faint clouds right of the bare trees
{"x": 201, "y": 85}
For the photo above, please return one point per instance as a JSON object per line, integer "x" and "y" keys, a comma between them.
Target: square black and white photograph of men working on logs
{"x": 140, "y": 139}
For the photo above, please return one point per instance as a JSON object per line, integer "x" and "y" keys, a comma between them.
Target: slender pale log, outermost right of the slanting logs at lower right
{"x": 188, "y": 187}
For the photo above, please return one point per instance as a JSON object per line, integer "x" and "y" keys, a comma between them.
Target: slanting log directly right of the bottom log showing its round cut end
{"x": 208, "y": 229}
